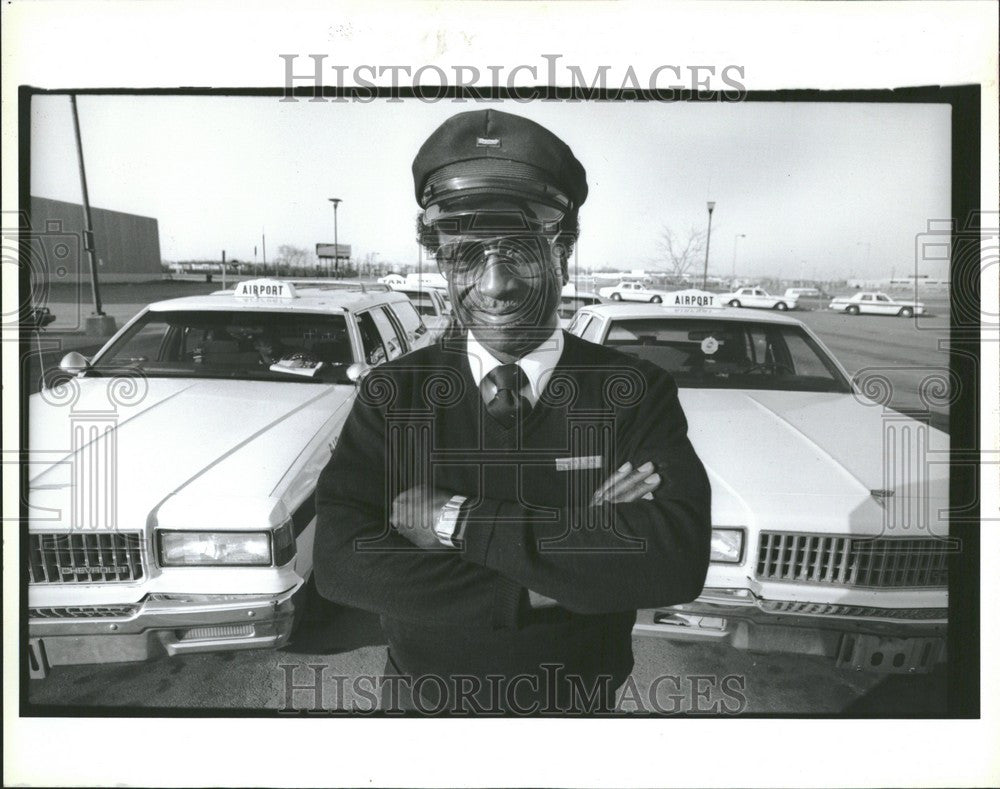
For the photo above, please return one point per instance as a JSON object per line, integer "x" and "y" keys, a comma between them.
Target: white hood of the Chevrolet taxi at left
{"x": 131, "y": 452}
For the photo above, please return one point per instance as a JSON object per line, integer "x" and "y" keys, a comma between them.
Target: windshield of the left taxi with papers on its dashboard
{"x": 242, "y": 345}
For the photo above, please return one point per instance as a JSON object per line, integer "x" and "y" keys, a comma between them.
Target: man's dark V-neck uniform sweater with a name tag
{"x": 420, "y": 420}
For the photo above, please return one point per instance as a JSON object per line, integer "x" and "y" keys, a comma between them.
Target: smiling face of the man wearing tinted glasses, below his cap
{"x": 505, "y": 289}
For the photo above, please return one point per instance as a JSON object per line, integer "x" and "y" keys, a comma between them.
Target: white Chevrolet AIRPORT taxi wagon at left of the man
{"x": 171, "y": 477}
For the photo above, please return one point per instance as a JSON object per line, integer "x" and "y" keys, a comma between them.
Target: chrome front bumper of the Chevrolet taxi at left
{"x": 161, "y": 627}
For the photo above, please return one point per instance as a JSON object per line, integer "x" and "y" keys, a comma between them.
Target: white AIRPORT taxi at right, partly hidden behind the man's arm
{"x": 829, "y": 511}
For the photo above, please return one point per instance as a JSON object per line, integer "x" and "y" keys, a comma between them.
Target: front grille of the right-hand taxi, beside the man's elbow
{"x": 874, "y": 563}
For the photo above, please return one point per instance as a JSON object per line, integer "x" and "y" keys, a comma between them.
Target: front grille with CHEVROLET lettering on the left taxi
{"x": 107, "y": 557}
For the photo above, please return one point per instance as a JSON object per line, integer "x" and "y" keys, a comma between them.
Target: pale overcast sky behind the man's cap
{"x": 819, "y": 190}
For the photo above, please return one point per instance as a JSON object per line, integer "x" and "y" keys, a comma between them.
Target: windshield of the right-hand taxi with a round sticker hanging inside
{"x": 705, "y": 353}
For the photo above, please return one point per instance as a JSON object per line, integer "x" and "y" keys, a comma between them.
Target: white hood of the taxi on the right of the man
{"x": 803, "y": 460}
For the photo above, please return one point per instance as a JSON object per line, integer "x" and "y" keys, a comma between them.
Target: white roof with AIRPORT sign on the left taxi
{"x": 259, "y": 295}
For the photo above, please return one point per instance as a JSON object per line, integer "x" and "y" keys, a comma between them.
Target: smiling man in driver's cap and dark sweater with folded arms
{"x": 507, "y": 498}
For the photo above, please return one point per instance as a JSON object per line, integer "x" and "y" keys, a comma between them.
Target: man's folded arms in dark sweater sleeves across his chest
{"x": 632, "y": 552}
